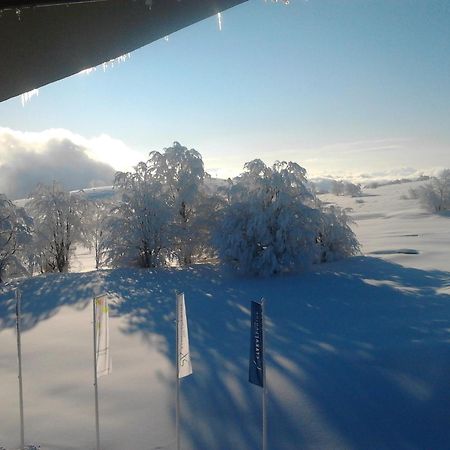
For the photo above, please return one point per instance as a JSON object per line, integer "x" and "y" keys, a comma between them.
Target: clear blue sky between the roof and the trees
{"x": 340, "y": 86}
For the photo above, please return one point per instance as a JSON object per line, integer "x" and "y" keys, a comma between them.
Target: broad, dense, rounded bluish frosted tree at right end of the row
{"x": 273, "y": 222}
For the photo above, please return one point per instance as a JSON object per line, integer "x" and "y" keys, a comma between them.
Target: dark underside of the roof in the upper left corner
{"x": 42, "y": 41}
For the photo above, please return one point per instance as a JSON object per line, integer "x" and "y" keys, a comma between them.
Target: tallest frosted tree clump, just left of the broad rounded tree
{"x": 163, "y": 211}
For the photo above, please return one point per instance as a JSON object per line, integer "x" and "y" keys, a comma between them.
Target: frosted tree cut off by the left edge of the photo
{"x": 15, "y": 235}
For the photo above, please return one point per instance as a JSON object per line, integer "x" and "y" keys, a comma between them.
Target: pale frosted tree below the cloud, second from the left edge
{"x": 58, "y": 225}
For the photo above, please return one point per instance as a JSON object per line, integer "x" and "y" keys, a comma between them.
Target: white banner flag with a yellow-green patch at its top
{"x": 103, "y": 356}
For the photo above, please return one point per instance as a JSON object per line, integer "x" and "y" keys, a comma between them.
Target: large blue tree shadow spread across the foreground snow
{"x": 358, "y": 352}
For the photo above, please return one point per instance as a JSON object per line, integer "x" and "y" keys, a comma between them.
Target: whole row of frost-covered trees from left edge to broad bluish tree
{"x": 167, "y": 211}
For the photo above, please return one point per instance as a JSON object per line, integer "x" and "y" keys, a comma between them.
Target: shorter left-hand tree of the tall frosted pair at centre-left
{"x": 138, "y": 228}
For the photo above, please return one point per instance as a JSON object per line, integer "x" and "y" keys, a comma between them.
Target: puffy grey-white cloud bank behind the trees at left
{"x": 27, "y": 159}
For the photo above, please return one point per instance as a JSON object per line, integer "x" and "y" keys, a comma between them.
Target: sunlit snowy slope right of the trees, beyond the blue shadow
{"x": 386, "y": 221}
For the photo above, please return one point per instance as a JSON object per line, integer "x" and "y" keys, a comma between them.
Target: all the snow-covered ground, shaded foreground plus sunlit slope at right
{"x": 358, "y": 351}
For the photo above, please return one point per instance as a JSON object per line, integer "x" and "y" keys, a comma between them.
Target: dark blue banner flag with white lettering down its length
{"x": 256, "y": 363}
